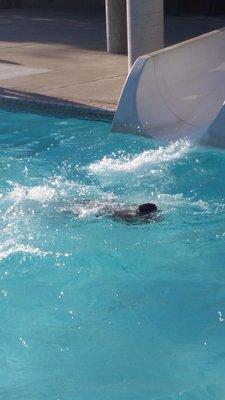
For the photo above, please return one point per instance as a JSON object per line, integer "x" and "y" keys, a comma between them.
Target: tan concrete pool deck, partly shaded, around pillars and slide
{"x": 55, "y": 57}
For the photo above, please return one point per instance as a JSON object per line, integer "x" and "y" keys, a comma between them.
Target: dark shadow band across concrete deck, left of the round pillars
{"x": 43, "y": 26}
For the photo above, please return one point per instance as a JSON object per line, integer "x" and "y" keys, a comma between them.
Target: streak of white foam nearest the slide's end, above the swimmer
{"x": 171, "y": 152}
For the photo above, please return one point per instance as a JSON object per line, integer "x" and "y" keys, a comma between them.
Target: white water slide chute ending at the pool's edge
{"x": 177, "y": 91}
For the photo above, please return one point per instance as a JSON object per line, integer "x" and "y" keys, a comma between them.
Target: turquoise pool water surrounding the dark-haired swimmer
{"x": 96, "y": 309}
